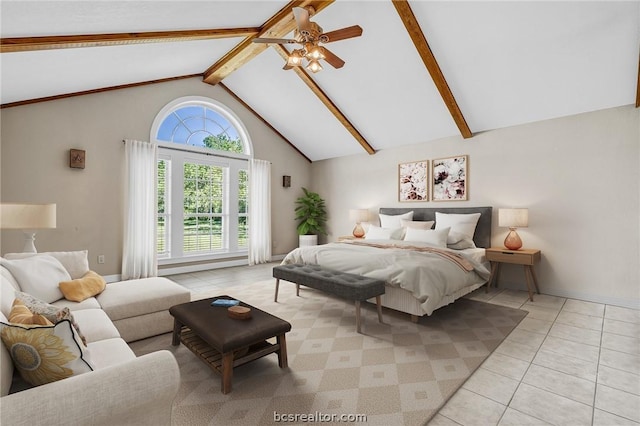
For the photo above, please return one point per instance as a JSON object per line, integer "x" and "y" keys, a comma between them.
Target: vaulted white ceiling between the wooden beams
{"x": 505, "y": 63}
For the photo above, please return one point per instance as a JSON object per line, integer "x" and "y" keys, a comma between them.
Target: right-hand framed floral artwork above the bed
{"x": 449, "y": 178}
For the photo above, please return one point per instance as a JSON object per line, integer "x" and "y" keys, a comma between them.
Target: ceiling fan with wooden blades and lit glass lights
{"x": 309, "y": 35}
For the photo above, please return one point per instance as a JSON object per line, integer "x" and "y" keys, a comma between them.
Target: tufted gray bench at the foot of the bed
{"x": 342, "y": 284}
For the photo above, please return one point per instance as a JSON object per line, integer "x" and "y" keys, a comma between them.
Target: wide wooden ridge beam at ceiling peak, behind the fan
{"x": 278, "y": 26}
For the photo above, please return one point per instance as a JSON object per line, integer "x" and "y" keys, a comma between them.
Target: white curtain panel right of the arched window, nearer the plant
{"x": 259, "y": 211}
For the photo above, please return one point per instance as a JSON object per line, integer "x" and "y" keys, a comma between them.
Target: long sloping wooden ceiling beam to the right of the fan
{"x": 420, "y": 41}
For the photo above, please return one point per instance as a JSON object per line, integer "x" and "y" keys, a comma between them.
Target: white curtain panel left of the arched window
{"x": 139, "y": 259}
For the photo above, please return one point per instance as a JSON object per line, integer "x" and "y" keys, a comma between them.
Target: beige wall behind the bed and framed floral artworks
{"x": 579, "y": 177}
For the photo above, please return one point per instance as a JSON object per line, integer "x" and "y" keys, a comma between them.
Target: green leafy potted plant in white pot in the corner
{"x": 312, "y": 216}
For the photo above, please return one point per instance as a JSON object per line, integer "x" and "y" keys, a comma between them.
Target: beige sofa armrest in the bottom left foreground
{"x": 137, "y": 392}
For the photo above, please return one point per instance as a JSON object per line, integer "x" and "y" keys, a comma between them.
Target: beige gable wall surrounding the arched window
{"x": 35, "y": 143}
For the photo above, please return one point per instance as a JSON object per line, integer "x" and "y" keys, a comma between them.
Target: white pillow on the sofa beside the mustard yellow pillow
{"x": 39, "y": 276}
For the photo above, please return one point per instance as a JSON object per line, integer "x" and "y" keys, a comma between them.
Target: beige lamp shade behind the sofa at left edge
{"x": 27, "y": 216}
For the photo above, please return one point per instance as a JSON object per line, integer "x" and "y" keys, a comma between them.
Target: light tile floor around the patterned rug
{"x": 569, "y": 362}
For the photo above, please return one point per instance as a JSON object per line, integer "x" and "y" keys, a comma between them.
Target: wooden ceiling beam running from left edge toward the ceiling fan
{"x": 22, "y": 44}
